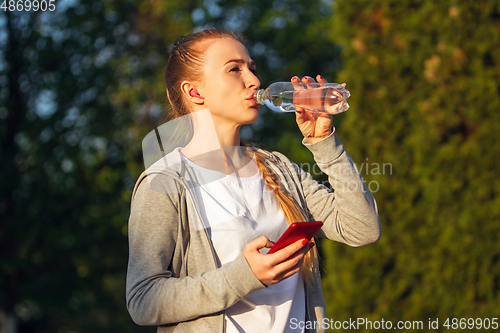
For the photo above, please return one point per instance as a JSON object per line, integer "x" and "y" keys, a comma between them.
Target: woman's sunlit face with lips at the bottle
{"x": 229, "y": 82}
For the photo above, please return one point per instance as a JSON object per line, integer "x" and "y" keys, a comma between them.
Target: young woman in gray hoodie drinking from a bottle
{"x": 202, "y": 219}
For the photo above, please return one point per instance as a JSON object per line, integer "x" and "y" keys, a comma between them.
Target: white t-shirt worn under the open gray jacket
{"x": 235, "y": 211}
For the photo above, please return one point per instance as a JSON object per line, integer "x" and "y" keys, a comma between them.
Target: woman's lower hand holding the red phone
{"x": 273, "y": 268}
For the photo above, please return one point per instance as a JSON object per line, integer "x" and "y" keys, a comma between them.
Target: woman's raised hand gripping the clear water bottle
{"x": 314, "y": 126}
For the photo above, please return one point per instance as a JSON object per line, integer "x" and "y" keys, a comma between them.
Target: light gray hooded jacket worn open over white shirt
{"x": 174, "y": 279}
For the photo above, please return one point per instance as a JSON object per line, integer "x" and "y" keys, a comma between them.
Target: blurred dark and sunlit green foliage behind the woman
{"x": 80, "y": 87}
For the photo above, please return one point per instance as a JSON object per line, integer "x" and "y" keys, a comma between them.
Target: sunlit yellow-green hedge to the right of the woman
{"x": 424, "y": 77}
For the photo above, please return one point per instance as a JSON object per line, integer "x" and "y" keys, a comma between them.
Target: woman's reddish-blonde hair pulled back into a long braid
{"x": 186, "y": 63}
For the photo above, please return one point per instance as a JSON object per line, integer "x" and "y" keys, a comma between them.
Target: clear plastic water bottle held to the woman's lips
{"x": 283, "y": 97}
